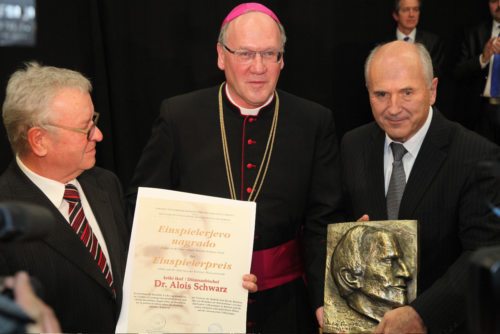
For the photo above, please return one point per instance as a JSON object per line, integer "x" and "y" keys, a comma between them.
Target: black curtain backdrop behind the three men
{"x": 139, "y": 52}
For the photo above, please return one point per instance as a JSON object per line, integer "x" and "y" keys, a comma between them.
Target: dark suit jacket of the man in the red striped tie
{"x": 72, "y": 283}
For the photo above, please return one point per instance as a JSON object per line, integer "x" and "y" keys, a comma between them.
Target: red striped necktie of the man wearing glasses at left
{"x": 82, "y": 228}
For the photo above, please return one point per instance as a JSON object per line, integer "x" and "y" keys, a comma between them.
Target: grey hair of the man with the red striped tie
{"x": 28, "y": 96}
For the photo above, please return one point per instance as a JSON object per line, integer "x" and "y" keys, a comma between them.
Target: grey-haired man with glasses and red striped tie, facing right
{"x": 51, "y": 125}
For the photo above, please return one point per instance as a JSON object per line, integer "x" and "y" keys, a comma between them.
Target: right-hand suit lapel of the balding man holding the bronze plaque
{"x": 430, "y": 158}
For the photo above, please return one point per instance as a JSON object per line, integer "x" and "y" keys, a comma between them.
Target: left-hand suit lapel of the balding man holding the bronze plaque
{"x": 374, "y": 165}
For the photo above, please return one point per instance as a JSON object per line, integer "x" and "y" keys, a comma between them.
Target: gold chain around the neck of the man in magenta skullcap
{"x": 261, "y": 175}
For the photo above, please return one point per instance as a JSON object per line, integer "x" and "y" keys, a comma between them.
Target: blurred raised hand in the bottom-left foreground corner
{"x": 45, "y": 320}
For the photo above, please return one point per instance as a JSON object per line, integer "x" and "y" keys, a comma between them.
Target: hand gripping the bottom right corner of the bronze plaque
{"x": 401, "y": 320}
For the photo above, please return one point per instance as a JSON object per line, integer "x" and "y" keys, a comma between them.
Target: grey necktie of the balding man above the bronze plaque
{"x": 397, "y": 183}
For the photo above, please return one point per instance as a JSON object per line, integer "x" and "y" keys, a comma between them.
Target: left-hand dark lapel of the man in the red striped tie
{"x": 62, "y": 238}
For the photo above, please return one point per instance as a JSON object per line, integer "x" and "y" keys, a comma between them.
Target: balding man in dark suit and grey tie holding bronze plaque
{"x": 412, "y": 163}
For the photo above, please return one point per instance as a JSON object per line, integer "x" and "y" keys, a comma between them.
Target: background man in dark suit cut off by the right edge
{"x": 475, "y": 71}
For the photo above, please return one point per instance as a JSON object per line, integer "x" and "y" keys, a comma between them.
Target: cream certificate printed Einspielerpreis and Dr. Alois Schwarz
{"x": 186, "y": 260}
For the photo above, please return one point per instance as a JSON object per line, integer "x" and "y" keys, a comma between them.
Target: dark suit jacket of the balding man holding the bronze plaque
{"x": 445, "y": 194}
